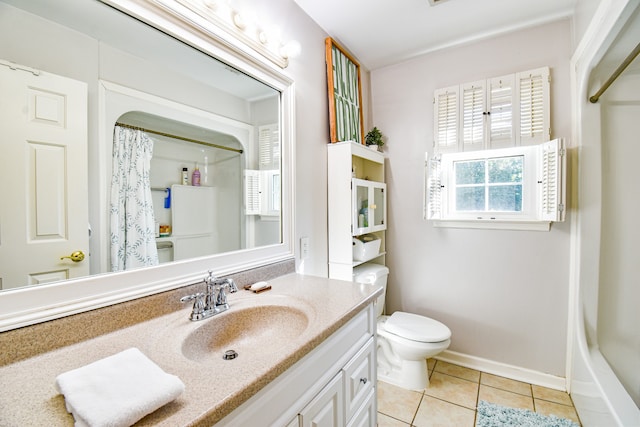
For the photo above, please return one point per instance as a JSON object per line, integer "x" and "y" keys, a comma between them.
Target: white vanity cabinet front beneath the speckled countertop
{"x": 333, "y": 386}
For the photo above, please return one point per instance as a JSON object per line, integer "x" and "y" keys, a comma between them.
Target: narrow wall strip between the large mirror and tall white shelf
{"x": 312, "y": 127}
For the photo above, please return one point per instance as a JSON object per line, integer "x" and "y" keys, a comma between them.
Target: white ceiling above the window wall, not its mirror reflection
{"x": 383, "y": 32}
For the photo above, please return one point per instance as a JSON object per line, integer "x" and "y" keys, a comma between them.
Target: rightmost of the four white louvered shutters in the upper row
{"x": 533, "y": 88}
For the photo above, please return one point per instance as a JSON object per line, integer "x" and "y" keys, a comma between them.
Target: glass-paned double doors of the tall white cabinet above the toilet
{"x": 369, "y": 206}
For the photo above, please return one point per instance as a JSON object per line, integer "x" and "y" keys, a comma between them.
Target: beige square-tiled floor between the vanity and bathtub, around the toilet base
{"x": 453, "y": 395}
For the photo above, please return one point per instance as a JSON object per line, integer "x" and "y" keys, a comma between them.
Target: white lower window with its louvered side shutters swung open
{"x": 517, "y": 187}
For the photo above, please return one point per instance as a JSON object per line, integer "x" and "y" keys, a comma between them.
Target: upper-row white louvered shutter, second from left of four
{"x": 473, "y": 114}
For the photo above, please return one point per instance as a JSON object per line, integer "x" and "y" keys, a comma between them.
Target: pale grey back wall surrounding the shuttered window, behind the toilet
{"x": 504, "y": 294}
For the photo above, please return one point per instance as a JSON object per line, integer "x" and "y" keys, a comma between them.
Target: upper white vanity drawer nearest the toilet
{"x": 360, "y": 377}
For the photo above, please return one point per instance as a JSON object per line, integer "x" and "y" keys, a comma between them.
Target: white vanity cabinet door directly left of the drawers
{"x": 327, "y": 408}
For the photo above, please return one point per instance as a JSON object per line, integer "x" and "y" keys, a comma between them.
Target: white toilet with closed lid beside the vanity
{"x": 405, "y": 340}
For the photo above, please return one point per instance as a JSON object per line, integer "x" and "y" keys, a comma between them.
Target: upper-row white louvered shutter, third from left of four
{"x": 501, "y": 106}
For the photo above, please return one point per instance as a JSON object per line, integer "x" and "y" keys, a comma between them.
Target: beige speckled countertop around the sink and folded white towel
{"x": 214, "y": 387}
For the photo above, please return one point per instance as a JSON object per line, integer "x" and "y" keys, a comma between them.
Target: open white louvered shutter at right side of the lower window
{"x": 552, "y": 161}
